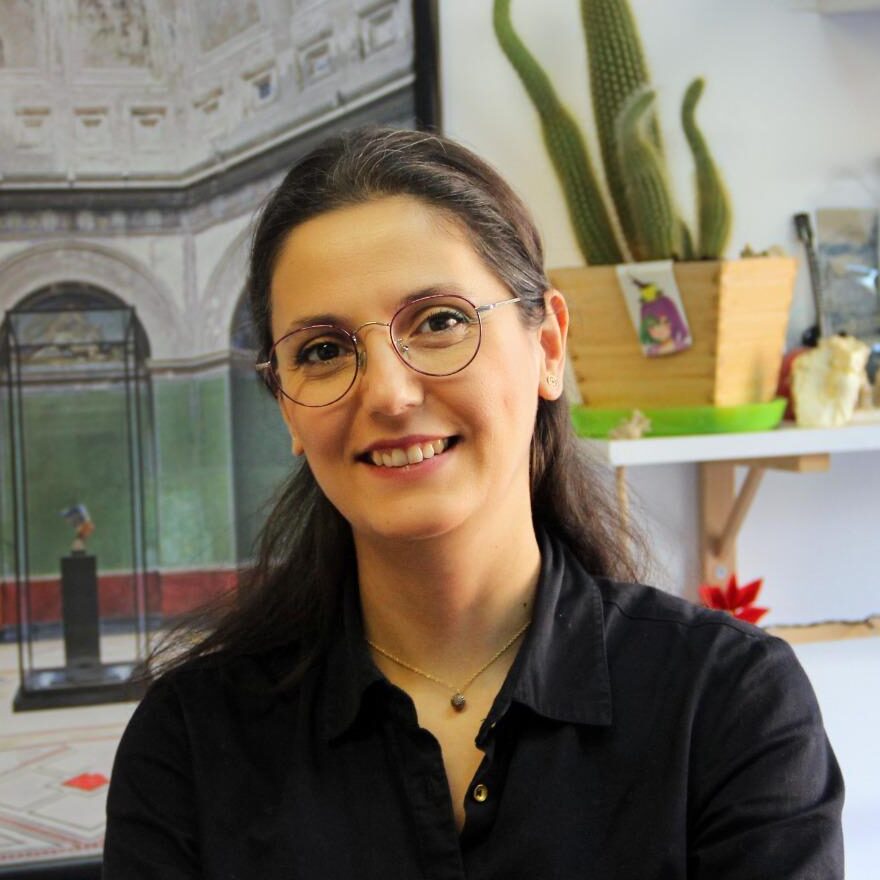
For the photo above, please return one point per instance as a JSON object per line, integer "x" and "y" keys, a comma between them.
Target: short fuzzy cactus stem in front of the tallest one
{"x": 657, "y": 226}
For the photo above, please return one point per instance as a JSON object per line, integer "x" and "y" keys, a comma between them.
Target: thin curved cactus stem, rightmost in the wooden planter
{"x": 713, "y": 202}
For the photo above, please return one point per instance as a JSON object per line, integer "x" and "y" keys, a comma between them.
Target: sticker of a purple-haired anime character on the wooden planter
{"x": 655, "y": 306}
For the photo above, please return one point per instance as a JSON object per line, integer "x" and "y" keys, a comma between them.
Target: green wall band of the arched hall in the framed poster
{"x": 221, "y": 451}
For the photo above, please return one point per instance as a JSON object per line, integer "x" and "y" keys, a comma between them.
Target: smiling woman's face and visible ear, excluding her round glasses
{"x": 359, "y": 264}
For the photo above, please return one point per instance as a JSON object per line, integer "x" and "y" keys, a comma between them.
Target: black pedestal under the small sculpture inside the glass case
{"x": 79, "y": 614}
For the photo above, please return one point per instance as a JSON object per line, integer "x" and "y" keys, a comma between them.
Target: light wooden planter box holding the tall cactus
{"x": 738, "y": 314}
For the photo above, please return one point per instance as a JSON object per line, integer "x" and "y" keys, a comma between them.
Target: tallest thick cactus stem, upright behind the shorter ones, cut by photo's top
{"x": 617, "y": 69}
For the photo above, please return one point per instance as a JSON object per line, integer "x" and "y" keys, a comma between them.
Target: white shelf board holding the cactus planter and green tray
{"x": 784, "y": 441}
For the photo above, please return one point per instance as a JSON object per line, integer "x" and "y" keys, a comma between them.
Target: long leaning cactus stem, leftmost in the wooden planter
{"x": 565, "y": 144}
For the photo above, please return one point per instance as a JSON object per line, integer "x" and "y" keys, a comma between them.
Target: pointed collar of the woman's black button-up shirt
{"x": 561, "y": 672}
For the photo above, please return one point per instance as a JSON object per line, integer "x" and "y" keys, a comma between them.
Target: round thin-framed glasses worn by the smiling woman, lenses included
{"x": 435, "y": 335}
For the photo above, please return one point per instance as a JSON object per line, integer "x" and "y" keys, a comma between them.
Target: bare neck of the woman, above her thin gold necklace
{"x": 448, "y": 603}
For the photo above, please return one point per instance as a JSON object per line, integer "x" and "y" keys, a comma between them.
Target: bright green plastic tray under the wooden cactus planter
{"x": 677, "y": 420}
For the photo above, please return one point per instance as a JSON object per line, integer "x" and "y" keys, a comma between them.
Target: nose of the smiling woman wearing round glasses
{"x": 386, "y": 385}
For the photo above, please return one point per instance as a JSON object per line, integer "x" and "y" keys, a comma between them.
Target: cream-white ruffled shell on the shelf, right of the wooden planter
{"x": 826, "y": 382}
